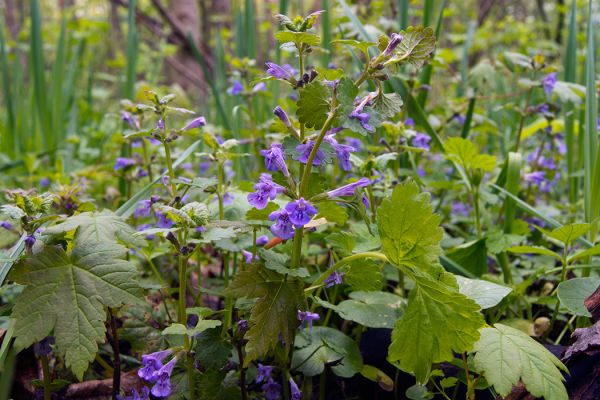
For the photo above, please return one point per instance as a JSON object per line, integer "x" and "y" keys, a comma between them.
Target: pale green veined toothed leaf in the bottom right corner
{"x": 506, "y": 356}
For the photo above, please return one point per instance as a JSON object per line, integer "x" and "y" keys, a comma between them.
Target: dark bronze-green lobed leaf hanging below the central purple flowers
{"x": 275, "y": 312}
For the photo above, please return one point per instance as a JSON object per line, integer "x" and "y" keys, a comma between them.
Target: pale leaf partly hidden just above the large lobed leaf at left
{"x": 98, "y": 227}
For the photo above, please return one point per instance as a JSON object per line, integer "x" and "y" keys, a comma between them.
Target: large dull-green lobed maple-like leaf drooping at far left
{"x": 67, "y": 294}
